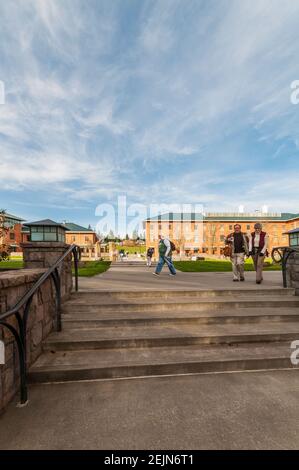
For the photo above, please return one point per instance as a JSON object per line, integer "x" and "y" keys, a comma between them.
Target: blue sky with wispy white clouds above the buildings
{"x": 165, "y": 101}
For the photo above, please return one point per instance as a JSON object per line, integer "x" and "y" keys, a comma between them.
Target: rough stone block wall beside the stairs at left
{"x": 41, "y": 320}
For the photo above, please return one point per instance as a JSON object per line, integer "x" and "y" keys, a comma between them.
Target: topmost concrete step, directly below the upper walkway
{"x": 94, "y": 297}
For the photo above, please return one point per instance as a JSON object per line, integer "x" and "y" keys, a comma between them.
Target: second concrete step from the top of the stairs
{"x": 109, "y": 305}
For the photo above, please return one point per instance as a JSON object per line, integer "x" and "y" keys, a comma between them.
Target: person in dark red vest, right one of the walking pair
{"x": 258, "y": 244}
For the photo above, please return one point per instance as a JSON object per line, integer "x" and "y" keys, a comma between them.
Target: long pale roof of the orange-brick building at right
{"x": 196, "y": 217}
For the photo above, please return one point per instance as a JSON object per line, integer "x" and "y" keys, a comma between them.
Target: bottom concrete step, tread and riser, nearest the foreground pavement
{"x": 121, "y": 363}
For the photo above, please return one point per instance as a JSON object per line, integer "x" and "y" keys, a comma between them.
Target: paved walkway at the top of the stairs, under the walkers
{"x": 141, "y": 278}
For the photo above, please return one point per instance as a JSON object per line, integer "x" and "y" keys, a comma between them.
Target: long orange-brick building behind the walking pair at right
{"x": 205, "y": 233}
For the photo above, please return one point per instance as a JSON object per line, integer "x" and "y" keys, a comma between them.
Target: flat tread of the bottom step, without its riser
{"x": 162, "y": 355}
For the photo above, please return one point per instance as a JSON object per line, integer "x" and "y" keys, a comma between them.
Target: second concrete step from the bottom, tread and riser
{"x": 172, "y": 335}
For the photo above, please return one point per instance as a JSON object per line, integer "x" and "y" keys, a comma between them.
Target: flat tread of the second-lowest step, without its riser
{"x": 173, "y": 331}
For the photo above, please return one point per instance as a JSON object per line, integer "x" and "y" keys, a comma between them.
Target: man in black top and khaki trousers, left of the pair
{"x": 239, "y": 248}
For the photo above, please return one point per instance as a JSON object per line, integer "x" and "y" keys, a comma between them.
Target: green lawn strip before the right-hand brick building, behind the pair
{"x": 216, "y": 266}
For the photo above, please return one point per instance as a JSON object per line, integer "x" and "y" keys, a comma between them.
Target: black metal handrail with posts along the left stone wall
{"x": 24, "y": 304}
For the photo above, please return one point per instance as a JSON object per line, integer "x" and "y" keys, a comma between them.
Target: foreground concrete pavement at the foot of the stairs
{"x": 221, "y": 411}
